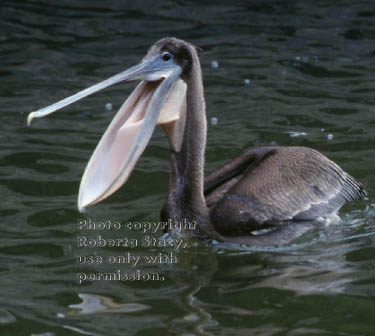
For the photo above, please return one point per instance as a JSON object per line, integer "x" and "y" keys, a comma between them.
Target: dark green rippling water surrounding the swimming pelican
{"x": 310, "y": 66}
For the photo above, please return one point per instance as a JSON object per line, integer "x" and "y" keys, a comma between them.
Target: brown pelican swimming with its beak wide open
{"x": 268, "y": 195}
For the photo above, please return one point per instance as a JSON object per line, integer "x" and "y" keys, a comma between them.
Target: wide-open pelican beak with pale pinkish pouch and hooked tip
{"x": 158, "y": 99}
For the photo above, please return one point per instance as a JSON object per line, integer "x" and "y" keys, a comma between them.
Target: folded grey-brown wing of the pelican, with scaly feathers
{"x": 283, "y": 184}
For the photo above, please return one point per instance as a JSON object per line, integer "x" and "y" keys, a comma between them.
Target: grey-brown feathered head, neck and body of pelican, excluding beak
{"x": 284, "y": 190}
